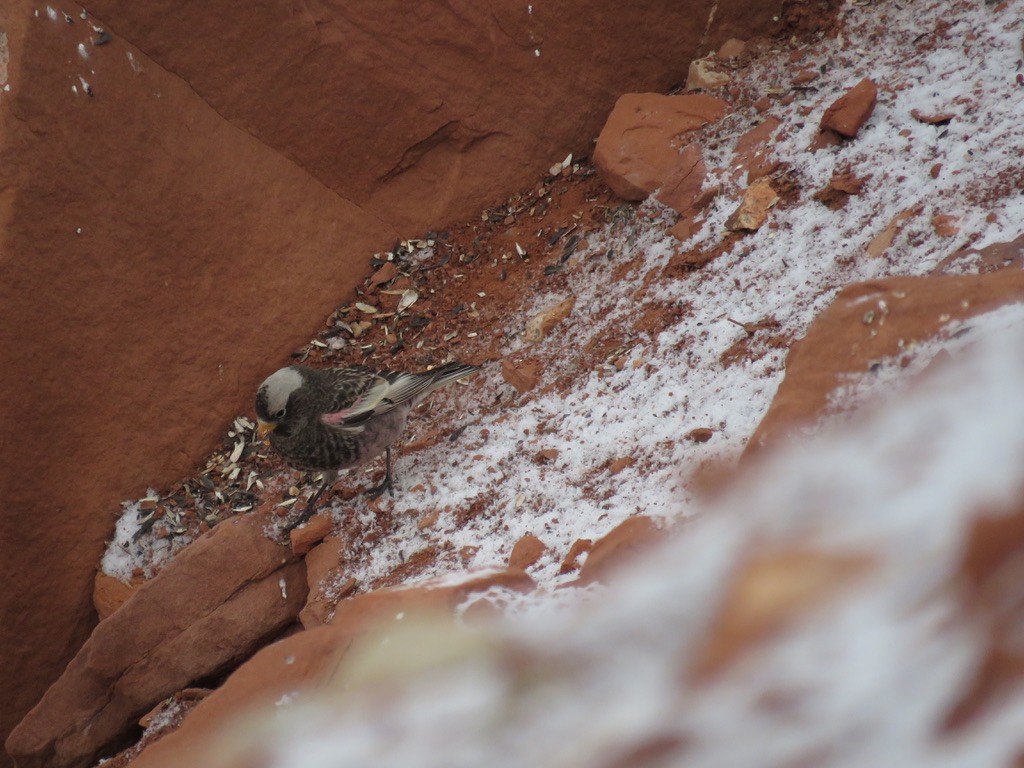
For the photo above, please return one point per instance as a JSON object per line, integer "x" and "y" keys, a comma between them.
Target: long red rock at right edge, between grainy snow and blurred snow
{"x": 840, "y": 343}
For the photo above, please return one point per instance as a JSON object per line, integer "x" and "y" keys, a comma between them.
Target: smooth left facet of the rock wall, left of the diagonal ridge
{"x": 135, "y": 316}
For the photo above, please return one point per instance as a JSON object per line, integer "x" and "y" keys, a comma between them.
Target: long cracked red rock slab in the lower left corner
{"x": 214, "y": 605}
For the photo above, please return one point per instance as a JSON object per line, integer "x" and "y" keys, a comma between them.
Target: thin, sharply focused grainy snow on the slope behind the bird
{"x": 788, "y": 272}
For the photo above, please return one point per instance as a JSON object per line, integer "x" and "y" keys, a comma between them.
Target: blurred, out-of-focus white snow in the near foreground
{"x": 598, "y": 679}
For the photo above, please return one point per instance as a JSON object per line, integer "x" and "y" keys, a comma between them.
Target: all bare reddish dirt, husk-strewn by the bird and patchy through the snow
{"x": 475, "y": 280}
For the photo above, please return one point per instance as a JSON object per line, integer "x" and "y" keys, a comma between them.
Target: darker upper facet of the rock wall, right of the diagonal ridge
{"x": 396, "y": 107}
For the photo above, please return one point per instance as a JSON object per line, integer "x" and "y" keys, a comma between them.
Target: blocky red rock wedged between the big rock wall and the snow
{"x": 638, "y": 148}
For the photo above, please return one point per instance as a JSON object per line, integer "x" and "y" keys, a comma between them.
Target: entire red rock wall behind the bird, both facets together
{"x": 184, "y": 203}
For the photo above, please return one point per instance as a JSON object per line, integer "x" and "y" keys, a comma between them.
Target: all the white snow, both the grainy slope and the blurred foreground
{"x": 869, "y": 676}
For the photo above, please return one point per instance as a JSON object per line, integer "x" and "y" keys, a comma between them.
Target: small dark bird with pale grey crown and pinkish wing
{"x": 330, "y": 419}
